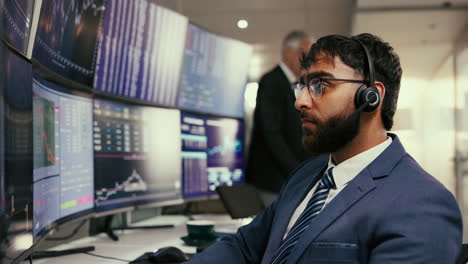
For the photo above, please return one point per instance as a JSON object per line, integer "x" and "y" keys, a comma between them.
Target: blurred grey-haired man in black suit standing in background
{"x": 276, "y": 148}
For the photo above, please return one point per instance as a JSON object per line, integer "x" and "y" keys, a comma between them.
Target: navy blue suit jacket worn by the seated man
{"x": 391, "y": 212}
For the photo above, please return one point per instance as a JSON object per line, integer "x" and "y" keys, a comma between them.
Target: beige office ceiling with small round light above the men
{"x": 421, "y": 31}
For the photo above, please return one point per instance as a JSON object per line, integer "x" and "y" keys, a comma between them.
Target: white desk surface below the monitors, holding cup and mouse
{"x": 133, "y": 243}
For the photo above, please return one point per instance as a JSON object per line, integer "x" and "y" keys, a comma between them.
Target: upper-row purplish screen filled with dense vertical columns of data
{"x": 140, "y": 52}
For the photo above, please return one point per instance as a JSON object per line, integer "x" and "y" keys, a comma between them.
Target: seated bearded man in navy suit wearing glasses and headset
{"x": 365, "y": 199}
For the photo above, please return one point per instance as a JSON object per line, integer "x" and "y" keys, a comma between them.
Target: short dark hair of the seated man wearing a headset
{"x": 386, "y": 64}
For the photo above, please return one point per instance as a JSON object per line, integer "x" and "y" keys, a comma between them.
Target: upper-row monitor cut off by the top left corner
{"x": 18, "y": 23}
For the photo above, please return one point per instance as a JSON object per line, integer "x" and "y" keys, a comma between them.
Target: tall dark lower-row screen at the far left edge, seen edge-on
{"x": 16, "y": 159}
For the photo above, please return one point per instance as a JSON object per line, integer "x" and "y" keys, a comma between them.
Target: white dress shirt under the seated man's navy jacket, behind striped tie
{"x": 343, "y": 173}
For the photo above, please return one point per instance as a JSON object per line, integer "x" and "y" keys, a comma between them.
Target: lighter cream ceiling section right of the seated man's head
{"x": 422, "y": 32}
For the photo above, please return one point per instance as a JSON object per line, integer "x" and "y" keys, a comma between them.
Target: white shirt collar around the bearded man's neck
{"x": 344, "y": 172}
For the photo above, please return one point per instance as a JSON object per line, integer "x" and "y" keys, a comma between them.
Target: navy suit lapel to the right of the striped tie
{"x": 352, "y": 193}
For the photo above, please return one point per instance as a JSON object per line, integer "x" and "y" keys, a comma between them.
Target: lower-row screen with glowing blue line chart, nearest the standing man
{"x": 212, "y": 152}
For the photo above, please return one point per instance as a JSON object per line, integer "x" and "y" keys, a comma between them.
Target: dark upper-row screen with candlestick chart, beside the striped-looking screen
{"x": 66, "y": 37}
